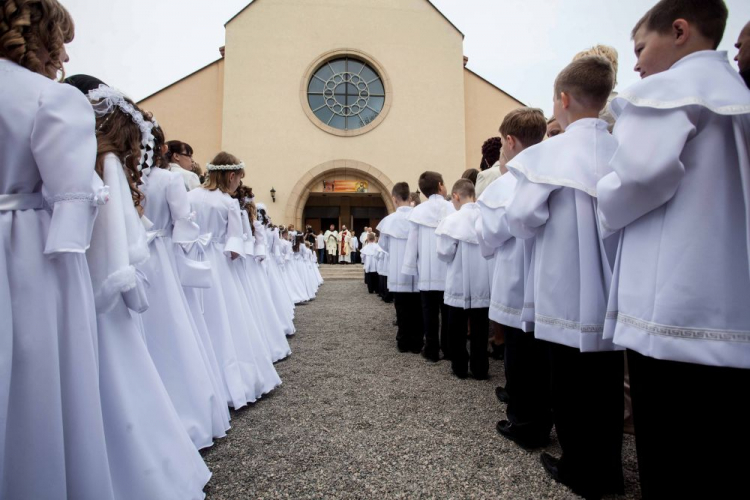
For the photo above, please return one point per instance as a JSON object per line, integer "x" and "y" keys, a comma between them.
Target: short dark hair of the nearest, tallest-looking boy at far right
{"x": 709, "y": 16}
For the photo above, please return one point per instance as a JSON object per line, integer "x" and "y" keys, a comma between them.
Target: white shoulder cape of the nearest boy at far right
{"x": 704, "y": 79}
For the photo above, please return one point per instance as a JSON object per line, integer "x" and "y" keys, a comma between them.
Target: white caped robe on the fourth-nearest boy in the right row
{"x": 467, "y": 282}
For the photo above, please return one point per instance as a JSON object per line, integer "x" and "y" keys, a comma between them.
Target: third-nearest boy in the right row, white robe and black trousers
{"x": 529, "y": 413}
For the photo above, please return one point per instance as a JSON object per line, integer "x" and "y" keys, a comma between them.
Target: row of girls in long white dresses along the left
{"x": 133, "y": 312}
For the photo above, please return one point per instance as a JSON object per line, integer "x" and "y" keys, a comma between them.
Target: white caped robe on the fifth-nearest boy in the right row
{"x": 420, "y": 258}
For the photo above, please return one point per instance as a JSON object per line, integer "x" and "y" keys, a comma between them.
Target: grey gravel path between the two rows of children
{"x": 355, "y": 418}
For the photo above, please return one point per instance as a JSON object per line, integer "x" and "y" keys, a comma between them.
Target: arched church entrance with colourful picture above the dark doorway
{"x": 343, "y": 193}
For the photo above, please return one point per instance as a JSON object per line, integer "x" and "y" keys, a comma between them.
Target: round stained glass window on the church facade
{"x": 346, "y": 93}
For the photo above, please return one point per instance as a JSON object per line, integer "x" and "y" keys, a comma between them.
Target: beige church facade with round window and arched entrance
{"x": 331, "y": 102}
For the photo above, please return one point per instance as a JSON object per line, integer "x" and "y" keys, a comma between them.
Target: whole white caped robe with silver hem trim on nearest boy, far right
{"x": 680, "y": 191}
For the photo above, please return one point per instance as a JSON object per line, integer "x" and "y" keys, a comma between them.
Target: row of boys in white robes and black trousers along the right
{"x": 597, "y": 243}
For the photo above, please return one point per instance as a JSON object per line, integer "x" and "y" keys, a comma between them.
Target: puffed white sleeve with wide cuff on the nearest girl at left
{"x": 64, "y": 148}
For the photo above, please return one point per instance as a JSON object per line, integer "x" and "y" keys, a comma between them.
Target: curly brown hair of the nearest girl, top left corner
{"x": 27, "y": 26}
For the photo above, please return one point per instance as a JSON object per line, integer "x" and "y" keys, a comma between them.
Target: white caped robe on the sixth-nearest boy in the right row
{"x": 394, "y": 231}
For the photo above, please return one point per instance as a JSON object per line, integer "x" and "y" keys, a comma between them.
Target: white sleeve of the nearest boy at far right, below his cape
{"x": 647, "y": 166}
